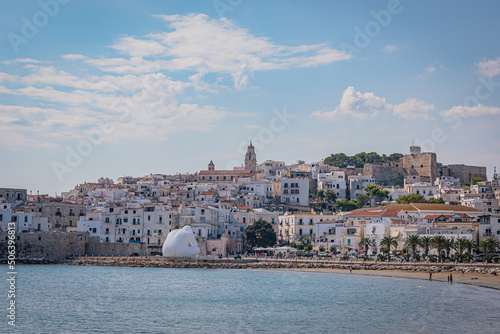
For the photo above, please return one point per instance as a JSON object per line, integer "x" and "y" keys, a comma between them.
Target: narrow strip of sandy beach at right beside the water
{"x": 478, "y": 279}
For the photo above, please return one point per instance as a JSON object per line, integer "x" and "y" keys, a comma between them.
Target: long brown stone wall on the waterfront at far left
{"x": 46, "y": 246}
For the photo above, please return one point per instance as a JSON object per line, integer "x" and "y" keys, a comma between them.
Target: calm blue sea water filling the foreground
{"x": 87, "y": 299}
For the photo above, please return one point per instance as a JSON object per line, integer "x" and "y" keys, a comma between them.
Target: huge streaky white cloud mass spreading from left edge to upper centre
{"x": 135, "y": 98}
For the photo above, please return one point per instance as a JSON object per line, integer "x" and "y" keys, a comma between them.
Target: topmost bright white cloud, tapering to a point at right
{"x": 200, "y": 44}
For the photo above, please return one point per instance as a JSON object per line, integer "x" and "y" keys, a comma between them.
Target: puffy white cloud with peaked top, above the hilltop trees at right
{"x": 367, "y": 105}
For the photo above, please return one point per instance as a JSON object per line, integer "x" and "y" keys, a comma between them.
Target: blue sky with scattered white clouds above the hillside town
{"x": 93, "y": 89}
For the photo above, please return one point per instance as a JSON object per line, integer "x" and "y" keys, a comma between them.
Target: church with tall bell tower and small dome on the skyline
{"x": 214, "y": 176}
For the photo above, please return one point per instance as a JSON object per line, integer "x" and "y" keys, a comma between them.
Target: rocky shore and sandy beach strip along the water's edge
{"x": 477, "y": 275}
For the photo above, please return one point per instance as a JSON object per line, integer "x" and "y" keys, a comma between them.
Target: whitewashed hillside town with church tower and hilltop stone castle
{"x": 362, "y": 205}
